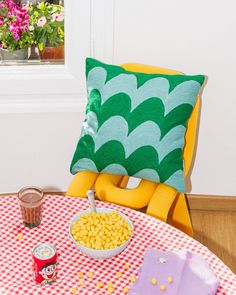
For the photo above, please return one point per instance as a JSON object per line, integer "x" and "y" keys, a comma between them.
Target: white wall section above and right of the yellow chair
{"x": 195, "y": 37}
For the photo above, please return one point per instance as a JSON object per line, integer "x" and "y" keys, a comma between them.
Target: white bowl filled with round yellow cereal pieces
{"x": 101, "y": 235}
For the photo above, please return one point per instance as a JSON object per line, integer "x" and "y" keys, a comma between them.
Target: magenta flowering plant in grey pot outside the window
{"x": 14, "y": 35}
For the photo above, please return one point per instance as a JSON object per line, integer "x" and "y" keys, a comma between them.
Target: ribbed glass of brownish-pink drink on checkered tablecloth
{"x": 31, "y": 202}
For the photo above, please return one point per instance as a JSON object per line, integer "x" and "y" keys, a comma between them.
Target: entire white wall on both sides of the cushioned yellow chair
{"x": 190, "y": 36}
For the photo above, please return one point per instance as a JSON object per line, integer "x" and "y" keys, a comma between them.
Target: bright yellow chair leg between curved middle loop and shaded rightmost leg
{"x": 161, "y": 202}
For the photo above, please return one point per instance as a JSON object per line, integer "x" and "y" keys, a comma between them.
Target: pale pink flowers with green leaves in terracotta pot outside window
{"x": 47, "y": 25}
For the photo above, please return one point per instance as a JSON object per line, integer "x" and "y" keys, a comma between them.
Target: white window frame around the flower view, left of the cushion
{"x": 53, "y": 88}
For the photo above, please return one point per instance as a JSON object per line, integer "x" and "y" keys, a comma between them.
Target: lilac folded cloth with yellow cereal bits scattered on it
{"x": 174, "y": 273}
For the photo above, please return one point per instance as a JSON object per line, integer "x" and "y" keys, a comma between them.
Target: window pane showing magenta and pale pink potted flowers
{"x": 31, "y": 32}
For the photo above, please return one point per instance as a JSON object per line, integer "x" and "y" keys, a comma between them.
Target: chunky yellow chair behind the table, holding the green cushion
{"x": 162, "y": 201}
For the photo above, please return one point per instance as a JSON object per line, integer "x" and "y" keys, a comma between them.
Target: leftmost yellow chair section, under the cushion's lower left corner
{"x": 81, "y": 183}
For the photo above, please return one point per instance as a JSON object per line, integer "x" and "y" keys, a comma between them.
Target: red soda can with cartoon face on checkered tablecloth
{"x": 44, "y": 264}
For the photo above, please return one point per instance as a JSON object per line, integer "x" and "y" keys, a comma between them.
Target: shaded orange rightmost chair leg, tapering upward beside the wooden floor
{"x": 179, "y": 215}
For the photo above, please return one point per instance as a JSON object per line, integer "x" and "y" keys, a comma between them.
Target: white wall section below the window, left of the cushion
{"x": 36, "y": 149}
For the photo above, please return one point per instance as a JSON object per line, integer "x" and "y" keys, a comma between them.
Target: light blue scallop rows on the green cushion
{"x": 148, "y": 133}
